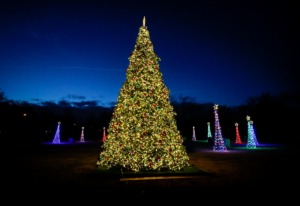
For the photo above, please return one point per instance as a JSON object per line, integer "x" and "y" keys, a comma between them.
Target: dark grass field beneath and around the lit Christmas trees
{"x": 268, "y": 173}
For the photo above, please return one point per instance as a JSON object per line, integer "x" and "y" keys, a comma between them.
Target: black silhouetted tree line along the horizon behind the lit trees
{"x": 274, "y": 117}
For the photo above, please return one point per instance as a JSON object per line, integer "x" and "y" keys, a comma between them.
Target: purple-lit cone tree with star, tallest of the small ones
{"x": 219, "y": 144}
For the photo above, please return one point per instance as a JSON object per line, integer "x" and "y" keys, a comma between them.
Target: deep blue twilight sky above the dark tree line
{"x": 211, "y": 51}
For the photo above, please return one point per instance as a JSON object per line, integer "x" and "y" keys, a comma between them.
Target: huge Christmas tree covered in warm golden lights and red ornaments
{"x": 142, "y": 133}
